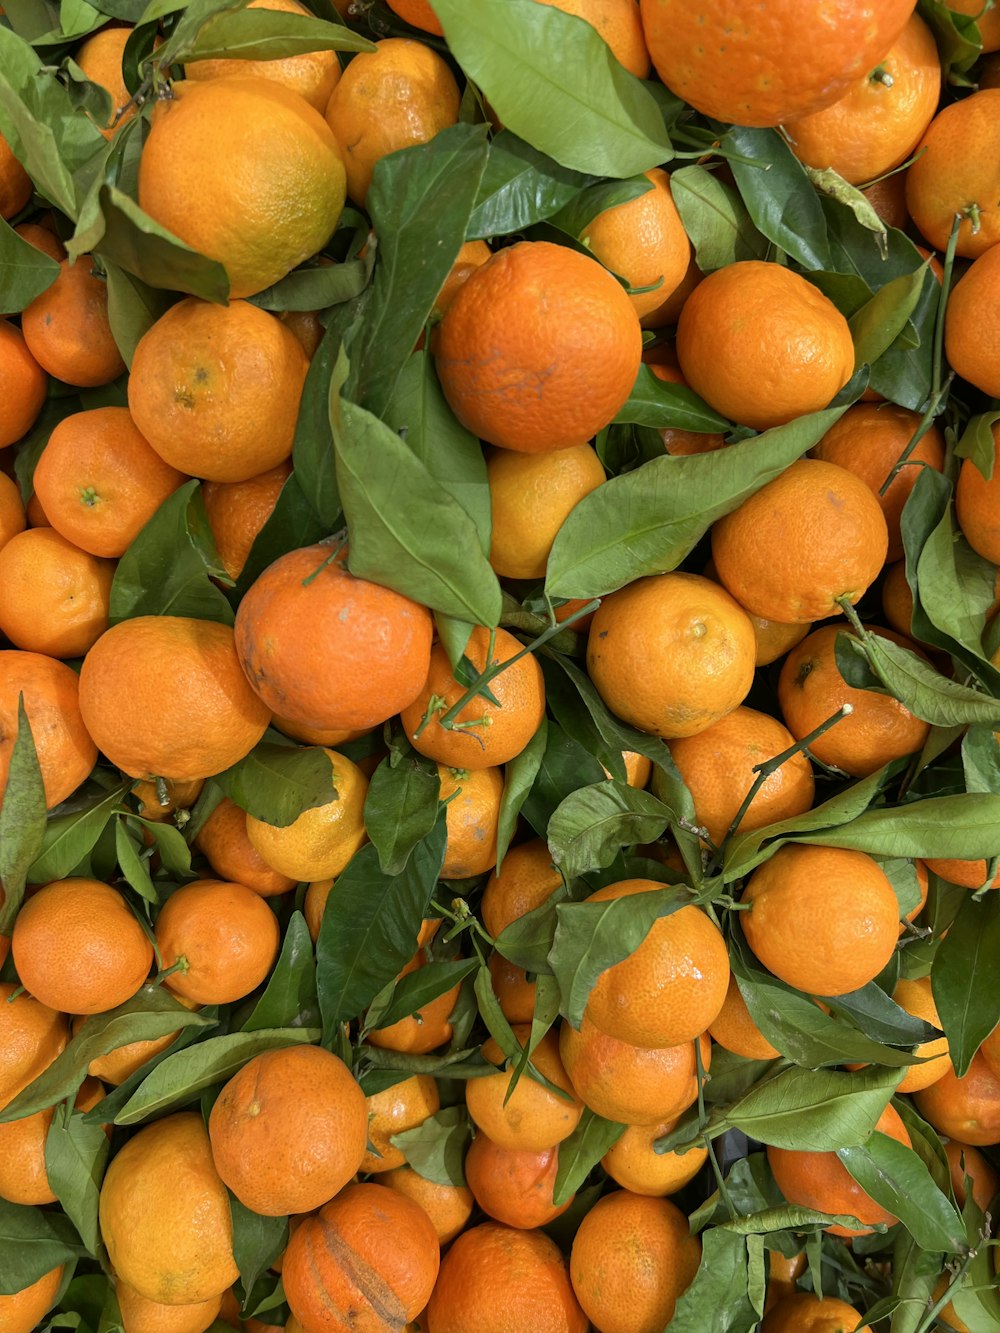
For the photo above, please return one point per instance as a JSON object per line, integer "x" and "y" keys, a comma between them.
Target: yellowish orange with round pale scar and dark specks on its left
{"x": 671, "y": 654}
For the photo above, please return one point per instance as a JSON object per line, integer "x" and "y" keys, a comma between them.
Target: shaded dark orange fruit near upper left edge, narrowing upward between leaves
{"x": 67, "y": 327}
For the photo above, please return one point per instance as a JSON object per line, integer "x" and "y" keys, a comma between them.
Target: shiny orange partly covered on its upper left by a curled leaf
{"x": 673, "y": 987}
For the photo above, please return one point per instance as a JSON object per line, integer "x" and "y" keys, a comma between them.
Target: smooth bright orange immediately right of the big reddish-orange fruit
{"x": 763, "y": 346}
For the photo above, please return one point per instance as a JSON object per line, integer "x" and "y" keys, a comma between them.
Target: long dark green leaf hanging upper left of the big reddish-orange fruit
{"x": 429, "y": 190}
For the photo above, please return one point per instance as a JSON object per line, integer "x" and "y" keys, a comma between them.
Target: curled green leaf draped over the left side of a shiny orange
{"x": 594, "y": 936}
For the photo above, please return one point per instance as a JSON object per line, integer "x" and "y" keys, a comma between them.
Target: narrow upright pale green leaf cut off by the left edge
{"x": 22, "y": 819}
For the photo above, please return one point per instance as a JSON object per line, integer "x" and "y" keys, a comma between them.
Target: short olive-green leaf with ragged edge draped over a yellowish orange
{"x": 278, "y": 783}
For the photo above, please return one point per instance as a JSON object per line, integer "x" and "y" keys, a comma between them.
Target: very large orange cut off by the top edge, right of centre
{"x": 758, "y": 66}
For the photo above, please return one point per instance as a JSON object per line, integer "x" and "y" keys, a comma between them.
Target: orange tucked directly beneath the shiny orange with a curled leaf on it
{"x": 634, "y": 1086}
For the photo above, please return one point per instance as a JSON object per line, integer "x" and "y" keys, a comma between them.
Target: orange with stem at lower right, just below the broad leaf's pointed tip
{"x": 813, "y": 535}
